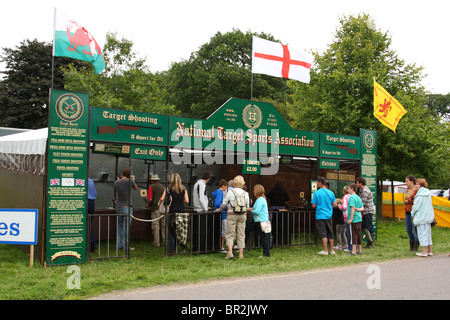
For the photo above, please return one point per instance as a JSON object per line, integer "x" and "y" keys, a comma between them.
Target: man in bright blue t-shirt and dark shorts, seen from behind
{"x": 323, "y": 201}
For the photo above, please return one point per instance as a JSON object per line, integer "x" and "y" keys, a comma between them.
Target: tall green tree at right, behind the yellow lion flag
{"x": 339, "y": 99}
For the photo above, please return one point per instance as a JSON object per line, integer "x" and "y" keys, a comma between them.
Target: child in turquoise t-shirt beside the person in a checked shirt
{"x": 355, "y": 206}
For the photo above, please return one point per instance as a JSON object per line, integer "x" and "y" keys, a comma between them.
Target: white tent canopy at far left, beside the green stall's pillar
{"x": 25, "y": 151}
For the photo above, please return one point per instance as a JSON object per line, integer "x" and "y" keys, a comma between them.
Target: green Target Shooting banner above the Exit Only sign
{"x": 129, "y": 127}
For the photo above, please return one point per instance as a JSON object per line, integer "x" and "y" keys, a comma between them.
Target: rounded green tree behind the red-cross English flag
{"x": 219, "y": 70}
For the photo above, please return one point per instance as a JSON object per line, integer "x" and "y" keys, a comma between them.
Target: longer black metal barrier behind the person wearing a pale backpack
{"x": 203, "y": 231}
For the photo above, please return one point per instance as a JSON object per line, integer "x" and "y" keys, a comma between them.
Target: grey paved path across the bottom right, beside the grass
{"x": 415, "y": 278}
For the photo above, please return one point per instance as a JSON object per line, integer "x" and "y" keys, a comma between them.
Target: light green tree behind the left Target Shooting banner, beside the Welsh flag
{"x": 125, "y": 84}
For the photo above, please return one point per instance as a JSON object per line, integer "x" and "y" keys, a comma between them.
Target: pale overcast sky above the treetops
{"x": 167, "y": 31}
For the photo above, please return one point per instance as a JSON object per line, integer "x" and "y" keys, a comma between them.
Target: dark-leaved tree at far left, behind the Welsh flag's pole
{"x": 24, "y": 91}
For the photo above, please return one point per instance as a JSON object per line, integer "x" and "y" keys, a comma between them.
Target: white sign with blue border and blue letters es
{"x": 18, "y": 226}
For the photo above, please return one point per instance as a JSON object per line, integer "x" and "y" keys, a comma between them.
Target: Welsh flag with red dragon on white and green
{"x": 74, "y": 41}
